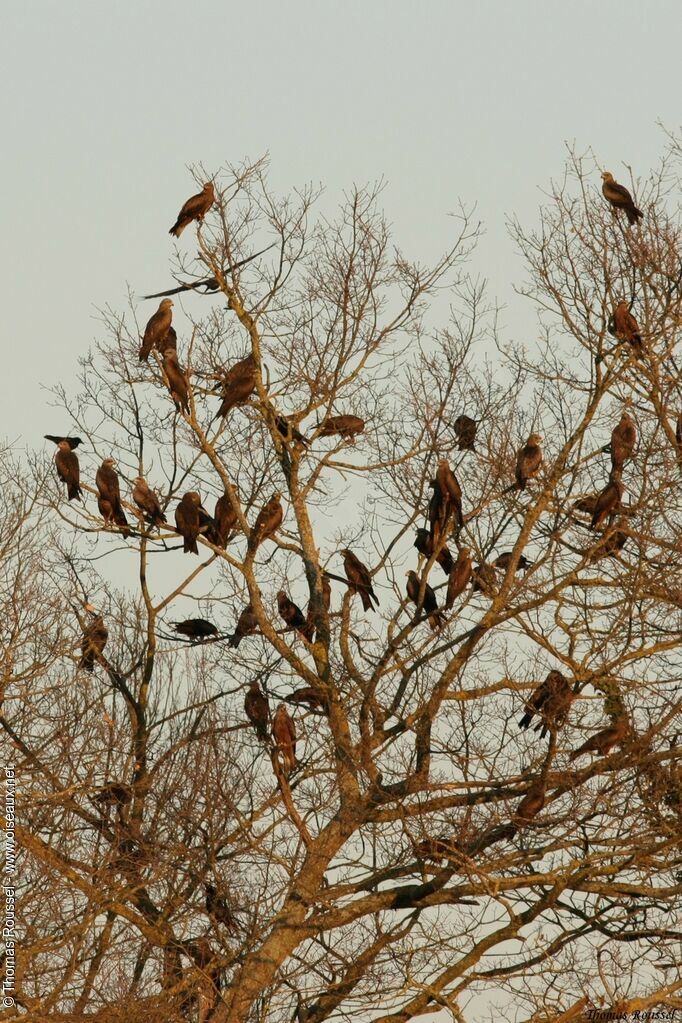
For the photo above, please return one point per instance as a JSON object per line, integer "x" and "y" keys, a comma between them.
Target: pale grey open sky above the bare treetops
{"x": 106, "y": 105}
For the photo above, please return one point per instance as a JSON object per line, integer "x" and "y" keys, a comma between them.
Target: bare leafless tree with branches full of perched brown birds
{"x": 382, "y": 840}
